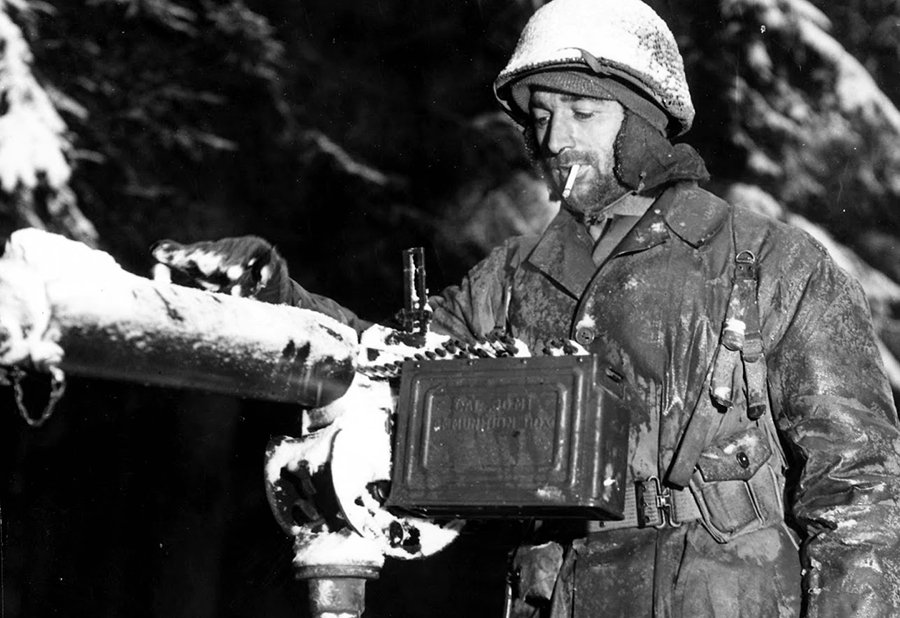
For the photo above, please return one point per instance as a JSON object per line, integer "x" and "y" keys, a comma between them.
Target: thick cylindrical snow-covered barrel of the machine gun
{"x": 66, "y": 304}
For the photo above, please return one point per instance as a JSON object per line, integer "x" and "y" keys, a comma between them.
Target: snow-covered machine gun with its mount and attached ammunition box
{"x": 470, "y": 436}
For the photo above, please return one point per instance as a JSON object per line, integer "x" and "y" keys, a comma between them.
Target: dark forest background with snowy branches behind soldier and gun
{"x": 344, "y": 132}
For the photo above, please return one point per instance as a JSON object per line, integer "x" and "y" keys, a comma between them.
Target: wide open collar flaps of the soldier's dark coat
{"x": 685, "y": 210}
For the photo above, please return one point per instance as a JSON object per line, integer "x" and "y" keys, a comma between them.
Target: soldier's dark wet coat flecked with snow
{"x": 654, "y": 311}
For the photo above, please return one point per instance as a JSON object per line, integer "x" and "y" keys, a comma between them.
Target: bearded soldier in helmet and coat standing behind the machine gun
{"x": 751, "y": 355}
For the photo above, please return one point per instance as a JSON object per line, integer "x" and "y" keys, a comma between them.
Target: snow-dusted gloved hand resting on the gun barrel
{"x": 240, "y": 266}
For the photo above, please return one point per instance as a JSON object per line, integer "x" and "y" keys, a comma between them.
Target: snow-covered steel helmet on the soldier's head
{"x": 622, "y": 39}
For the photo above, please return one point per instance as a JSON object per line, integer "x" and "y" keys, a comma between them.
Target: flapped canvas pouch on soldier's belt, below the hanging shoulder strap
{"x": 738, "y": 485}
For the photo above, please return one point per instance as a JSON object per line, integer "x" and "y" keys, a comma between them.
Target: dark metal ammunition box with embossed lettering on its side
{"x": 510, "y": 437}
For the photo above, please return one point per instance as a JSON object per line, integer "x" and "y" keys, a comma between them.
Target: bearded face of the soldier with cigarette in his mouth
{"x": 570, "y": 129}
